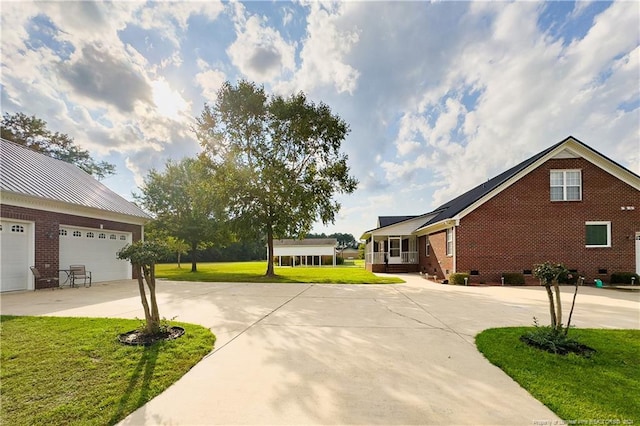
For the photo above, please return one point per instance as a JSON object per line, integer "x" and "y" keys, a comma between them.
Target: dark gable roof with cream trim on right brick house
{"x": 465, "y": 201}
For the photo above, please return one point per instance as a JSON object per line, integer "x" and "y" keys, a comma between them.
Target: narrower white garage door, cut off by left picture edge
{"x": 17, "y": 254}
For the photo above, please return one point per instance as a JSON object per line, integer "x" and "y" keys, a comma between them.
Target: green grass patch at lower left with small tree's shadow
{"x": 73, "y": 371}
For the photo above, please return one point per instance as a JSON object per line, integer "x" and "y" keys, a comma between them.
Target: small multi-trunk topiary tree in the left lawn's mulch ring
{"x": 144, "y": 256}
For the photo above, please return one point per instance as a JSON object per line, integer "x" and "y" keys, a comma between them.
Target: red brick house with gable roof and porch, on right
{"x": 568, "y": 203}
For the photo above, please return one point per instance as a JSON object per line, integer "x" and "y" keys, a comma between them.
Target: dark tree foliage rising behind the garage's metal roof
{"x": 32, "y": 132}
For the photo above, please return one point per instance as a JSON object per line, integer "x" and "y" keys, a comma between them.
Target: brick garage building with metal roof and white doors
{"x": 52, "y": 215}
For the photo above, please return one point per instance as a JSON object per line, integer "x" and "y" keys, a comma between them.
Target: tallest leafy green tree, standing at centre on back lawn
{"x": 278, "y": 159}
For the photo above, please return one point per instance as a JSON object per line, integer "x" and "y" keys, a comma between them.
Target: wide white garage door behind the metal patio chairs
{"x": 96, "y": 249}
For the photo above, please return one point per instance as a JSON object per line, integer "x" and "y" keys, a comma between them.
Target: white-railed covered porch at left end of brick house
{"x": 391, "y": 253}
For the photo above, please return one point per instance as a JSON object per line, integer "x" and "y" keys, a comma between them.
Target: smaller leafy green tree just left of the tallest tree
{"x": 185, "y": 200}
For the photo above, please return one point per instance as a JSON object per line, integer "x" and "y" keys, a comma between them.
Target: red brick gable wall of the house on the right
{"x": 521, "y": 226}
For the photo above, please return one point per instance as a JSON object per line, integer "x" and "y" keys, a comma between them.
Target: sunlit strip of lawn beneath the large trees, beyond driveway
{"x": 254, "y": 272}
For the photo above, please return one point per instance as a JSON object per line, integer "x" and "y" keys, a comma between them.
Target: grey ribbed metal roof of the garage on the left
{"x": 24, "y": 171}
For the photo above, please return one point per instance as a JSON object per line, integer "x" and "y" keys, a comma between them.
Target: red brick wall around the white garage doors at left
{"x": 47, "y": 250}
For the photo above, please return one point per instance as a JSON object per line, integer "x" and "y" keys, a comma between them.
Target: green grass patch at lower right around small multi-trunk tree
{"x": 603, "y": 388}
